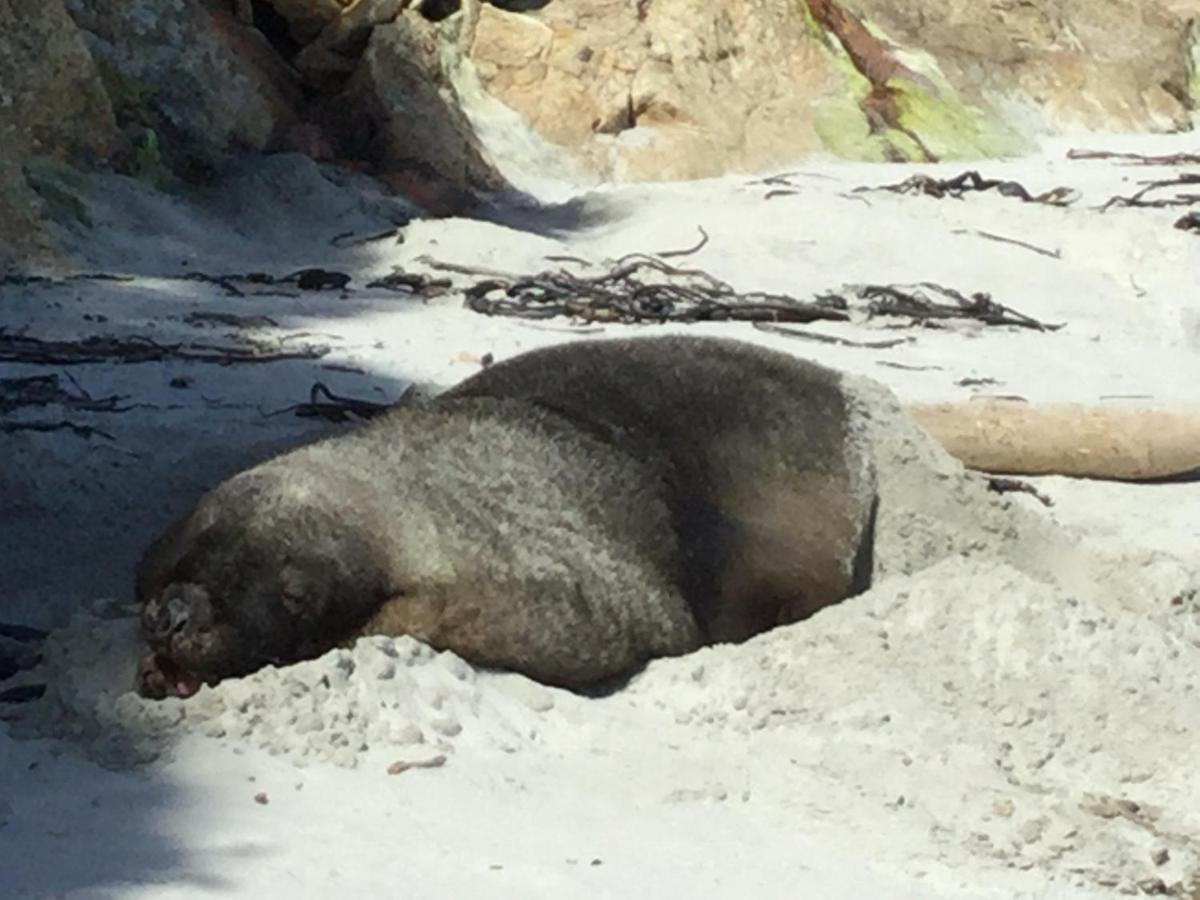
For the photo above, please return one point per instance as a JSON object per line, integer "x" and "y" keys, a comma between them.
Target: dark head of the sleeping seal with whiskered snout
{"x": 269, "y": 568}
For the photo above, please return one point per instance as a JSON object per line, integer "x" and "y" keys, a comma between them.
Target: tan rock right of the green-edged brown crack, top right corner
{"x": 1109, "y": 65}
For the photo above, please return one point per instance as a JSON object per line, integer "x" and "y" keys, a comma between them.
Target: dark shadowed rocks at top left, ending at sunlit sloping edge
{"x": 176, "y": 92}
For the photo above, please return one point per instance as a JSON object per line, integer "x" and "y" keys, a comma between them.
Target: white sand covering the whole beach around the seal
{"x": 1019, "y": 719}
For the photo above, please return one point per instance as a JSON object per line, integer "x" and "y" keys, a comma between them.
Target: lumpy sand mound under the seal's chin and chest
{"x": 381, "y": 693}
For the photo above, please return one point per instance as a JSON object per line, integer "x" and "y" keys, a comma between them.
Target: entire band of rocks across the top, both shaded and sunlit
{"x": 622, "y": 89}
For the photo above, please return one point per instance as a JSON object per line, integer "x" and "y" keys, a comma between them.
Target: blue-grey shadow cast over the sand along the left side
{"x": 77, "y": 511}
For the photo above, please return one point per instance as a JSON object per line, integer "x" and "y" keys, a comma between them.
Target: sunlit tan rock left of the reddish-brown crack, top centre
{"x": 659, "y": 91}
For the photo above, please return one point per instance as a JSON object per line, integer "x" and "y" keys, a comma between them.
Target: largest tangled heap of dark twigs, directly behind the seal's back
{"x": 638, "y": 289}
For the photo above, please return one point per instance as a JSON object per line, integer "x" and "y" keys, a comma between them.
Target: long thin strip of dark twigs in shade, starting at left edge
{"x": 21, "y": 349}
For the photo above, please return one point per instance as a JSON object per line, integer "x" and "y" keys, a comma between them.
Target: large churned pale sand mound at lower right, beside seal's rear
{"x": 997, "y": 716}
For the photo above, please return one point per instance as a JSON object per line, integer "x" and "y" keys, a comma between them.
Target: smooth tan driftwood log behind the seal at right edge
{"x": 1017, "y": 439}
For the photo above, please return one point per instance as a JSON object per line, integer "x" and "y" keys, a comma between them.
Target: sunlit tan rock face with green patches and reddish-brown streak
{"x": 676, "y": 89}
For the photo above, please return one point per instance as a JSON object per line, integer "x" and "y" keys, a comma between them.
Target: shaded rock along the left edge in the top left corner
{"x": 51, "y": 104}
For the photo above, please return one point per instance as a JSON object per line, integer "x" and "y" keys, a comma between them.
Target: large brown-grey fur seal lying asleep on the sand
{"x": 568, "y": 514}
